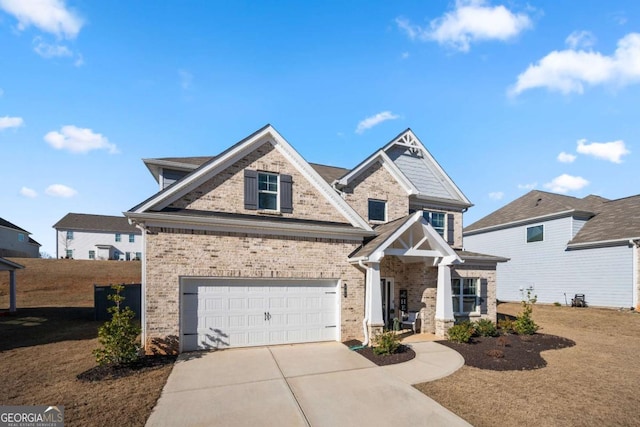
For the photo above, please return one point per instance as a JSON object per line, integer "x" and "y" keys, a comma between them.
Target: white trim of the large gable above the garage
{"x": 210, "y": 169}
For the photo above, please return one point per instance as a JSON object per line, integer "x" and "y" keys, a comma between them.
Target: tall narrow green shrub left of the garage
{"x": 118, "y": 336}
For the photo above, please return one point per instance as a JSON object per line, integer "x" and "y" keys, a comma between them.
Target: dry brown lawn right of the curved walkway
{"x": 594, "y": 383}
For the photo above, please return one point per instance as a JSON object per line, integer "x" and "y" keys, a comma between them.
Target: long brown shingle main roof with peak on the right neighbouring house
{"x": 536, "y": 204}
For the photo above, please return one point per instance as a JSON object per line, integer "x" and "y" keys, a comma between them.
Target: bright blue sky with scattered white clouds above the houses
{"x": 507, "y": 95}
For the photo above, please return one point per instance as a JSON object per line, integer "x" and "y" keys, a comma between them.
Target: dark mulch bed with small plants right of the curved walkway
{"x": 508, "y": 352}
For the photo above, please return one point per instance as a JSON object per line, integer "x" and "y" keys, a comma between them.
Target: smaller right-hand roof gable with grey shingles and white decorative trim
{"x": 411, "y": 164}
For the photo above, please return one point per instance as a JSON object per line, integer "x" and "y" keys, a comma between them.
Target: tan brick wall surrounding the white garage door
{"x": 172, "y": 253}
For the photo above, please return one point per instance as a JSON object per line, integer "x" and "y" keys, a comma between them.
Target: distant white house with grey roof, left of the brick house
{"x": 101, "y": 237}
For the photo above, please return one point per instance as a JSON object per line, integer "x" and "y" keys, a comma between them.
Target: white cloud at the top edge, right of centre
{"x": 470, "y": 21}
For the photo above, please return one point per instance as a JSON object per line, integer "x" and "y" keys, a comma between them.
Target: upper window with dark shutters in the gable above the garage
{"x": 268, "y": 191}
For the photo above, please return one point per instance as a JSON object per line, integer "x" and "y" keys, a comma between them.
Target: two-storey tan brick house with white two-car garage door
{"x": 256, "y": 246}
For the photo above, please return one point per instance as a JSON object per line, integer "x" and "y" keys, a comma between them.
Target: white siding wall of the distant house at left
{"x": 85, "y": 241}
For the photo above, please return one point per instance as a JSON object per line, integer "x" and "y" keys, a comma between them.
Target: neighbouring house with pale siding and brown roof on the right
{"x": 561, "y": 245}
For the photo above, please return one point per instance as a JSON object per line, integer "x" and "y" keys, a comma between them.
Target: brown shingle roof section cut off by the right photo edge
{"x": 617, "y": 219}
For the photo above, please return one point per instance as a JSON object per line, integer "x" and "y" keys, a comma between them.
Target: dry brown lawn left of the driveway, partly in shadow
{"x": 48, "y": 342}
